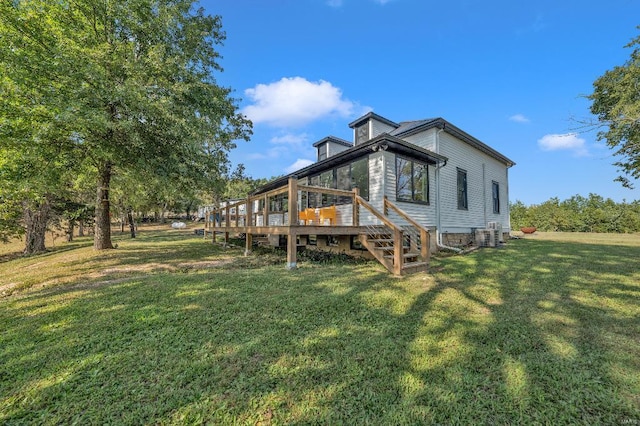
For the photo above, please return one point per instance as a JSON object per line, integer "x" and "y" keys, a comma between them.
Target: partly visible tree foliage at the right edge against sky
{"x": 616, "y": 103}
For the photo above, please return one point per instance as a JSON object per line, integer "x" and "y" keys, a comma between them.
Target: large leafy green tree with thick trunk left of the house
{"x": 133, "y": 79}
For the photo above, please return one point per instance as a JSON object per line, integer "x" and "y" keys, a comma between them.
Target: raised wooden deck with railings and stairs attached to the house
{"x": 401, "y": 248}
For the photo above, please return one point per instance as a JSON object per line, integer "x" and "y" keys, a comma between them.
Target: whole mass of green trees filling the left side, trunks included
{"x": 109, "y": 108}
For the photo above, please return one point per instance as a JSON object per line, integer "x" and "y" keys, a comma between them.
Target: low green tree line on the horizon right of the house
{"x": 578, "y": 214}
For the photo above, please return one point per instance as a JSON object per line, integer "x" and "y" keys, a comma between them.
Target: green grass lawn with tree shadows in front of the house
{"x": 169, "y": 329}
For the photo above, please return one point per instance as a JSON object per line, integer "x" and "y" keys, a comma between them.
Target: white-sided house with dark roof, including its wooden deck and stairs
{"x": 399, "y": 191}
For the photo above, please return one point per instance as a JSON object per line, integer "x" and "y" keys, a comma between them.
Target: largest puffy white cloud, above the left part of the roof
{"x": 295, "y": 101}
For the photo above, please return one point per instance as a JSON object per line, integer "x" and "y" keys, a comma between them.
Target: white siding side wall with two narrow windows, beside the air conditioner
{"x": 481, "y": 171}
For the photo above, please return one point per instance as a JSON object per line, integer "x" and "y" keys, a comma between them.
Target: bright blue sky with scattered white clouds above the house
{"x": 513, "y": 74}
